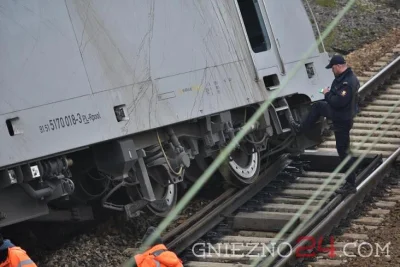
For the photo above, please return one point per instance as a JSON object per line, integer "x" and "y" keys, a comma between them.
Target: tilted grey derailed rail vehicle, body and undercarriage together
{"x": 118, "y": 102}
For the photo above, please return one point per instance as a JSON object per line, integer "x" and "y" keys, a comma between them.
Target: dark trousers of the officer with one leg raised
{"x": 341, "y": 129}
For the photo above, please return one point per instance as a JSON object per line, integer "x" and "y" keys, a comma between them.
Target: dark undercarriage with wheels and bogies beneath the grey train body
{"x": 148, "y": 169}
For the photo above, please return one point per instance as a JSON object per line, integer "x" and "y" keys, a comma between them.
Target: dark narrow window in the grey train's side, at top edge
{"x": 255, "y": 26}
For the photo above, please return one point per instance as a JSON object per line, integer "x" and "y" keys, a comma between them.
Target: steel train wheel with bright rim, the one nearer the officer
{"x": 242, "y": 167}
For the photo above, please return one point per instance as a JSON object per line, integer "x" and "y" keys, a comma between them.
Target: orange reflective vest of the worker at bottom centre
{"x": 158, "y": 256}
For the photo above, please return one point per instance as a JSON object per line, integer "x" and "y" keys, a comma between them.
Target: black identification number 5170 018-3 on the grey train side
{"x": 68, "y": 121}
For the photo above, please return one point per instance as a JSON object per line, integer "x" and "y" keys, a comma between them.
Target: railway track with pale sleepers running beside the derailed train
{"x": 232, "y": 229}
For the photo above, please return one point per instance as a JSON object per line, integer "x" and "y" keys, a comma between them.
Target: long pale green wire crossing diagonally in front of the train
{"x": 234, "y": 142}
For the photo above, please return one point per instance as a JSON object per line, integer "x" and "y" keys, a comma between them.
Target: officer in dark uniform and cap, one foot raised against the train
{"x": 340, "y": 106}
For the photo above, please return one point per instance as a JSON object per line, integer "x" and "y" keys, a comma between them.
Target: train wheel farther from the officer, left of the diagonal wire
{"x": 166, "y": 195}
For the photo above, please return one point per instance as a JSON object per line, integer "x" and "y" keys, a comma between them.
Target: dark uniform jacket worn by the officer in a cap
{"x": 343, "y": 96}
